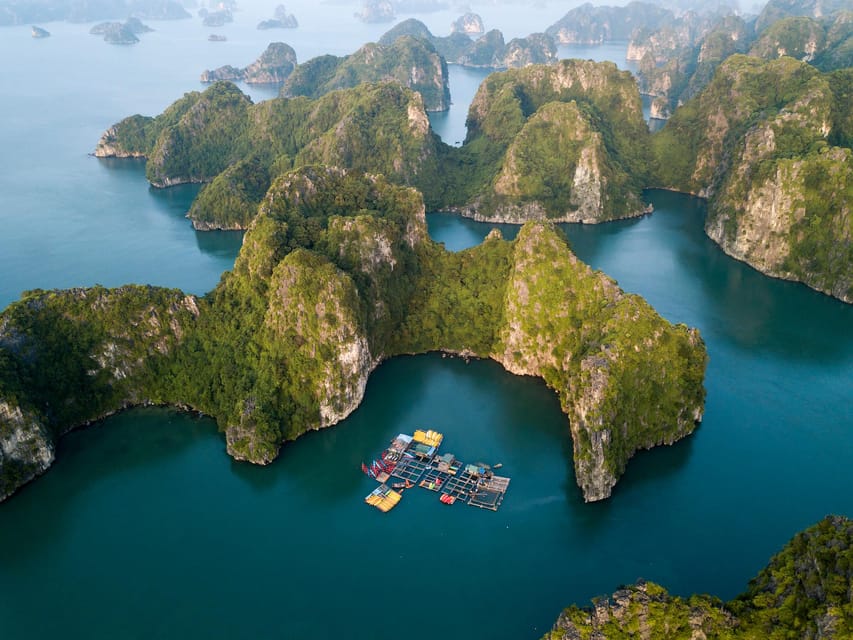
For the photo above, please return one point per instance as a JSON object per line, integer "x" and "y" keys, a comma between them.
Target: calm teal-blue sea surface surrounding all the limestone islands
{"x": 144, "y": 528}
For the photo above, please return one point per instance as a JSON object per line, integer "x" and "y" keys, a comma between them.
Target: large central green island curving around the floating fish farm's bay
{"x": 336, "y": 273}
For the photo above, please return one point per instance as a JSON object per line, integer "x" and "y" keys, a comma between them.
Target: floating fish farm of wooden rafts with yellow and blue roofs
{"x": 414, "y": 460}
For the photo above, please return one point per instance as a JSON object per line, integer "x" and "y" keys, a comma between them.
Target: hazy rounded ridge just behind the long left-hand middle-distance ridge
{"x": 409, "y": 61}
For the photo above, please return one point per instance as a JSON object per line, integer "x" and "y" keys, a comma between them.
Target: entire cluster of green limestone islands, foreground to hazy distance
{"x": 331, "y": 181}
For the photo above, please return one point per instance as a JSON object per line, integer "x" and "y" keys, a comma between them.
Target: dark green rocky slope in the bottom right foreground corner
{"x": 804, "y": 592}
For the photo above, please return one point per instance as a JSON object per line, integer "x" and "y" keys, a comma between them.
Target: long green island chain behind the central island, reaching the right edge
{"x": 563, "y": 142}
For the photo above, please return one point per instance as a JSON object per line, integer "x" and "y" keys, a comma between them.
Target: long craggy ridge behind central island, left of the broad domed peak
{"x": 380, "y": 128}
